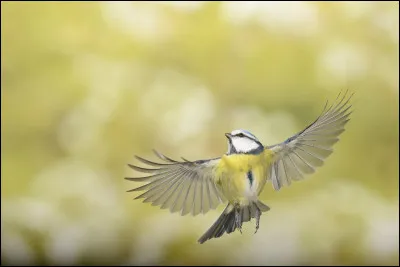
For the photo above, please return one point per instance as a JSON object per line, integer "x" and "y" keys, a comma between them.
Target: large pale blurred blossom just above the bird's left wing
{"x": 180, "y": 106}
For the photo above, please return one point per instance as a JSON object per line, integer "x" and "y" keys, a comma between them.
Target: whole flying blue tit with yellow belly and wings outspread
{"x": 238, "y": 177}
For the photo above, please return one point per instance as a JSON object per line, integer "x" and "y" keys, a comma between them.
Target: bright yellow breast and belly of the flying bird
{"x": 233, "y": 176}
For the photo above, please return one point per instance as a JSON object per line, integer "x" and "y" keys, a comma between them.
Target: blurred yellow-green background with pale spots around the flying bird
{"x": 87, "y": 85}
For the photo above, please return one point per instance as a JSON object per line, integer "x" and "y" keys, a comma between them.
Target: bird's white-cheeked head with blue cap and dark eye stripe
{"x": 242, "y": 141}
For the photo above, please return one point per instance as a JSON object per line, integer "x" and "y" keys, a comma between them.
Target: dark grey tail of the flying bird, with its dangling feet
{"x": 233, "y": 217}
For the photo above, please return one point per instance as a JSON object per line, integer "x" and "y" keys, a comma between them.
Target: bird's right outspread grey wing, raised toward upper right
{"x": 302, "y": 153}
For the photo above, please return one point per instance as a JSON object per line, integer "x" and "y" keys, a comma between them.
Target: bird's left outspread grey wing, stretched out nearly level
{"x": 187, "y": 187}
